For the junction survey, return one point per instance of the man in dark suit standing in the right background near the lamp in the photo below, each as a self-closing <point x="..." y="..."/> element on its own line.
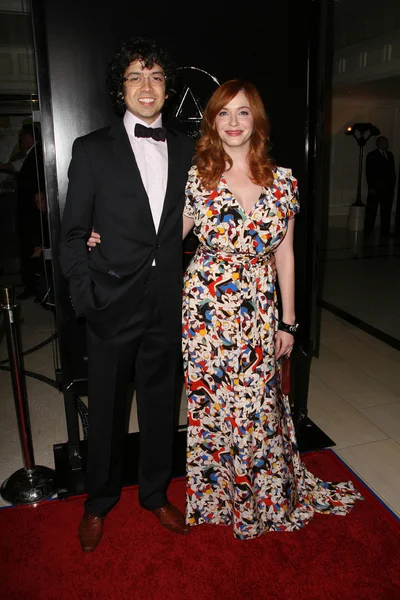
<point x="381" y="179"/>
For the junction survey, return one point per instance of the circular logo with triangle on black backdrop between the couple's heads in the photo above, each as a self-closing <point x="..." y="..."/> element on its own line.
<point x="185" y="110"/>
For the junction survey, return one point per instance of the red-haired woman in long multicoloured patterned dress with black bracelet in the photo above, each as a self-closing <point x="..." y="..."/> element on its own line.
<point x="243" y="464"/>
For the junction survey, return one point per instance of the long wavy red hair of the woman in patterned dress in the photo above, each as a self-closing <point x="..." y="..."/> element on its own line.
<point x="211" y="157"/>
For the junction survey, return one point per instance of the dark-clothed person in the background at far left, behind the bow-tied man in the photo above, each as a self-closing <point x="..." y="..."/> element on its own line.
<point x="30" y="181"/>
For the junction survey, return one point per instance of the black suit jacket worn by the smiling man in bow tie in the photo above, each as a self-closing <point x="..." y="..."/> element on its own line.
<point x="106" y="191"/>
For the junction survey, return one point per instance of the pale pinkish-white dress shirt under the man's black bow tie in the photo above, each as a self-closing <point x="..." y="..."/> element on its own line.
<point x="152" y="160"/>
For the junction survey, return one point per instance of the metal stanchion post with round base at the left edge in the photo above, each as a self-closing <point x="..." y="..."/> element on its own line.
<point x="32" y="483"/>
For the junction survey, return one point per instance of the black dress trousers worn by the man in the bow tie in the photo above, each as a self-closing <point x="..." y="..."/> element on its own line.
<point x="145" y="348"/>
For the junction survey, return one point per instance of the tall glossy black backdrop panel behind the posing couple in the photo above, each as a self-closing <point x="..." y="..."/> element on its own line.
<point x="261" y="42"/>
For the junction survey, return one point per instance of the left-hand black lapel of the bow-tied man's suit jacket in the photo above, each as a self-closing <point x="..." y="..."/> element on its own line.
<point x="129" y="169"/>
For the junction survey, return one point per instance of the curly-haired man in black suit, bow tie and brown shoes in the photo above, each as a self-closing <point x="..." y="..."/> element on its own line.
<point x="128" y="182"/>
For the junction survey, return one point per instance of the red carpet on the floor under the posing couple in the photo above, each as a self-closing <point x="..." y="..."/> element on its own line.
<point x="356" y="557"/>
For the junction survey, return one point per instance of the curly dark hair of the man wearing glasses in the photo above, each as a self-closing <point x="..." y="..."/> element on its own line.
<point x="143" y="49"/>
